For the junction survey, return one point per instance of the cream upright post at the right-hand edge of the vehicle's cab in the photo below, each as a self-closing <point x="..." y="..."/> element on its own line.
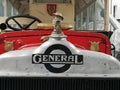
<point x="106" y="14"/>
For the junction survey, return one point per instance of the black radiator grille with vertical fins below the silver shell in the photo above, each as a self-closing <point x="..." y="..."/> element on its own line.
<point x="39" y="83"/>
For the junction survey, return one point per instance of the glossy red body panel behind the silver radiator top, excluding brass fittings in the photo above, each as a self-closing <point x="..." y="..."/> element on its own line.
<point x="24" y="39"/>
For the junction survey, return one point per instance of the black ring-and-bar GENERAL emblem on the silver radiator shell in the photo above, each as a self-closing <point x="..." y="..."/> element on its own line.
<point x="57" y="62"/>
